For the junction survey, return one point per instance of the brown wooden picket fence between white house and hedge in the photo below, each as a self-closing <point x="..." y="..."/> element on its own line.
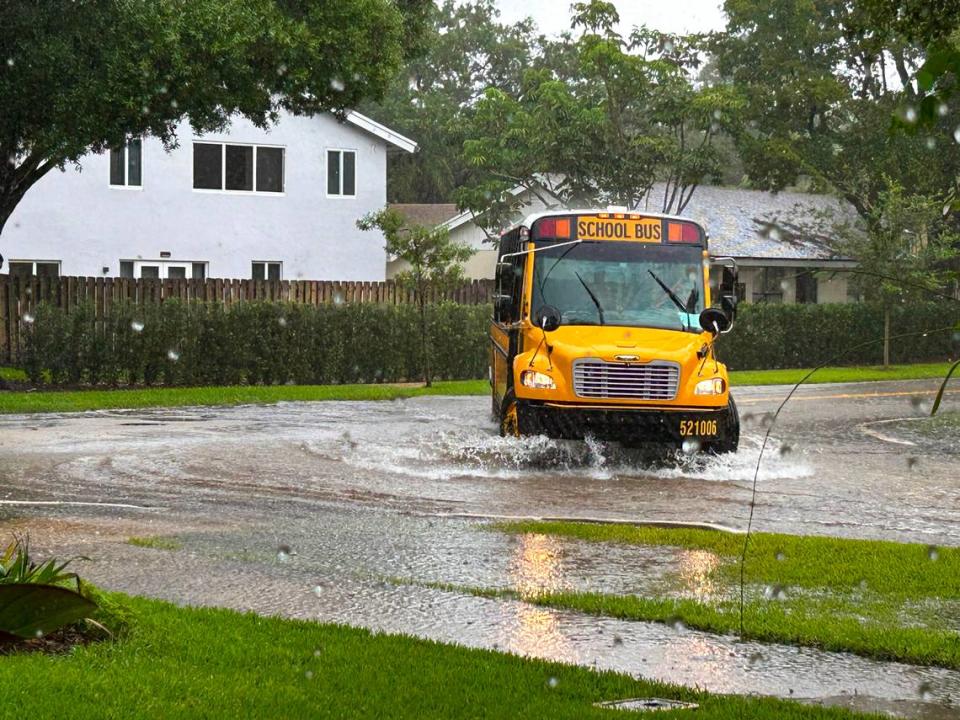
<point x="19" y="296"/>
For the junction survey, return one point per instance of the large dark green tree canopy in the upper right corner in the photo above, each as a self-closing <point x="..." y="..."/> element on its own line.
<point x="821" y="82"/>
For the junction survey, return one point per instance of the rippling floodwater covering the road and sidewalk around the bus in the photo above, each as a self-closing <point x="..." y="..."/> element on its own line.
<point x="368" y="496"/>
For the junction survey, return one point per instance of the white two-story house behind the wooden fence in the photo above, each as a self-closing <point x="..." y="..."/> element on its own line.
<point x="246" y="203"/>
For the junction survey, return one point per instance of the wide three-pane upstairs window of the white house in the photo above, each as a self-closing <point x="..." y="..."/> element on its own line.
<point x="237" y="168"/>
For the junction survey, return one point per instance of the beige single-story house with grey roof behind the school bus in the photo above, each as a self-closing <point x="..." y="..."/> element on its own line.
<point x="778" y="240"/>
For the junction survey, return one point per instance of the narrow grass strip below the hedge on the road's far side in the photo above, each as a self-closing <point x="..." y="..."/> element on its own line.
<point x="80" y="400"/>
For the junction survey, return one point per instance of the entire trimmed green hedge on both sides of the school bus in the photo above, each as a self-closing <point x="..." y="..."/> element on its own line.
<point x="207" y="344"/>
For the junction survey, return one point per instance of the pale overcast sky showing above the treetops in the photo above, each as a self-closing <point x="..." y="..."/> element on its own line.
<point x="678" y="16"/>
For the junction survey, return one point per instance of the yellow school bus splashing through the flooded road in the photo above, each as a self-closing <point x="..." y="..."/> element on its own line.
<point x="603" y="326"/>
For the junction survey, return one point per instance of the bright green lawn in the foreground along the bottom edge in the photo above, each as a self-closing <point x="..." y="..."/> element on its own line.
<point x="189" y="663"/>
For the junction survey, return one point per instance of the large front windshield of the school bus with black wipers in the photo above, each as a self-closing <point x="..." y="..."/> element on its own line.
<point x="621" y="283"/>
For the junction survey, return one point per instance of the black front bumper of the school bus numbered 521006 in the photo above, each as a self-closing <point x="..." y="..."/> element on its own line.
<point x="629" y="426"/>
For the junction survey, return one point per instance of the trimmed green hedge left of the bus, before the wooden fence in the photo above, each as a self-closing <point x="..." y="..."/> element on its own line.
<point x="269" y="343"/>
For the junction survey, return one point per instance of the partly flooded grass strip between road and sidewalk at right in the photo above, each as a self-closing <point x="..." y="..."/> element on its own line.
<point x="880" y="599"/>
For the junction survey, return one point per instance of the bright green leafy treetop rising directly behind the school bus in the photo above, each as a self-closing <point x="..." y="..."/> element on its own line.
<point x="613" y="117"/>
